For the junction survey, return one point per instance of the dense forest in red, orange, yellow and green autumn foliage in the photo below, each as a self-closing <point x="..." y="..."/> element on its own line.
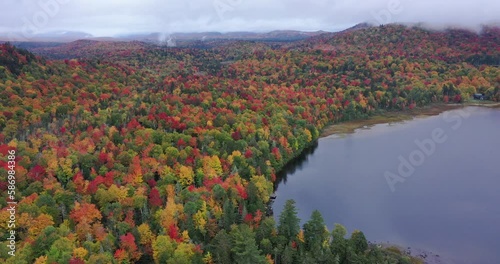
<point x="134" y="153"/>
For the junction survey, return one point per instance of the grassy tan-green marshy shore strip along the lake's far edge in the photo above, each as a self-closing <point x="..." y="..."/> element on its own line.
<point x="397" y="116"/>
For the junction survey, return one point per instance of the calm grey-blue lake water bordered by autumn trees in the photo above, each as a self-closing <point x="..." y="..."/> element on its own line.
<point x="449" y="204"/>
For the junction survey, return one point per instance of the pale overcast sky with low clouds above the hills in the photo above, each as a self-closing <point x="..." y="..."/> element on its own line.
<point x="112" y="17"/>
